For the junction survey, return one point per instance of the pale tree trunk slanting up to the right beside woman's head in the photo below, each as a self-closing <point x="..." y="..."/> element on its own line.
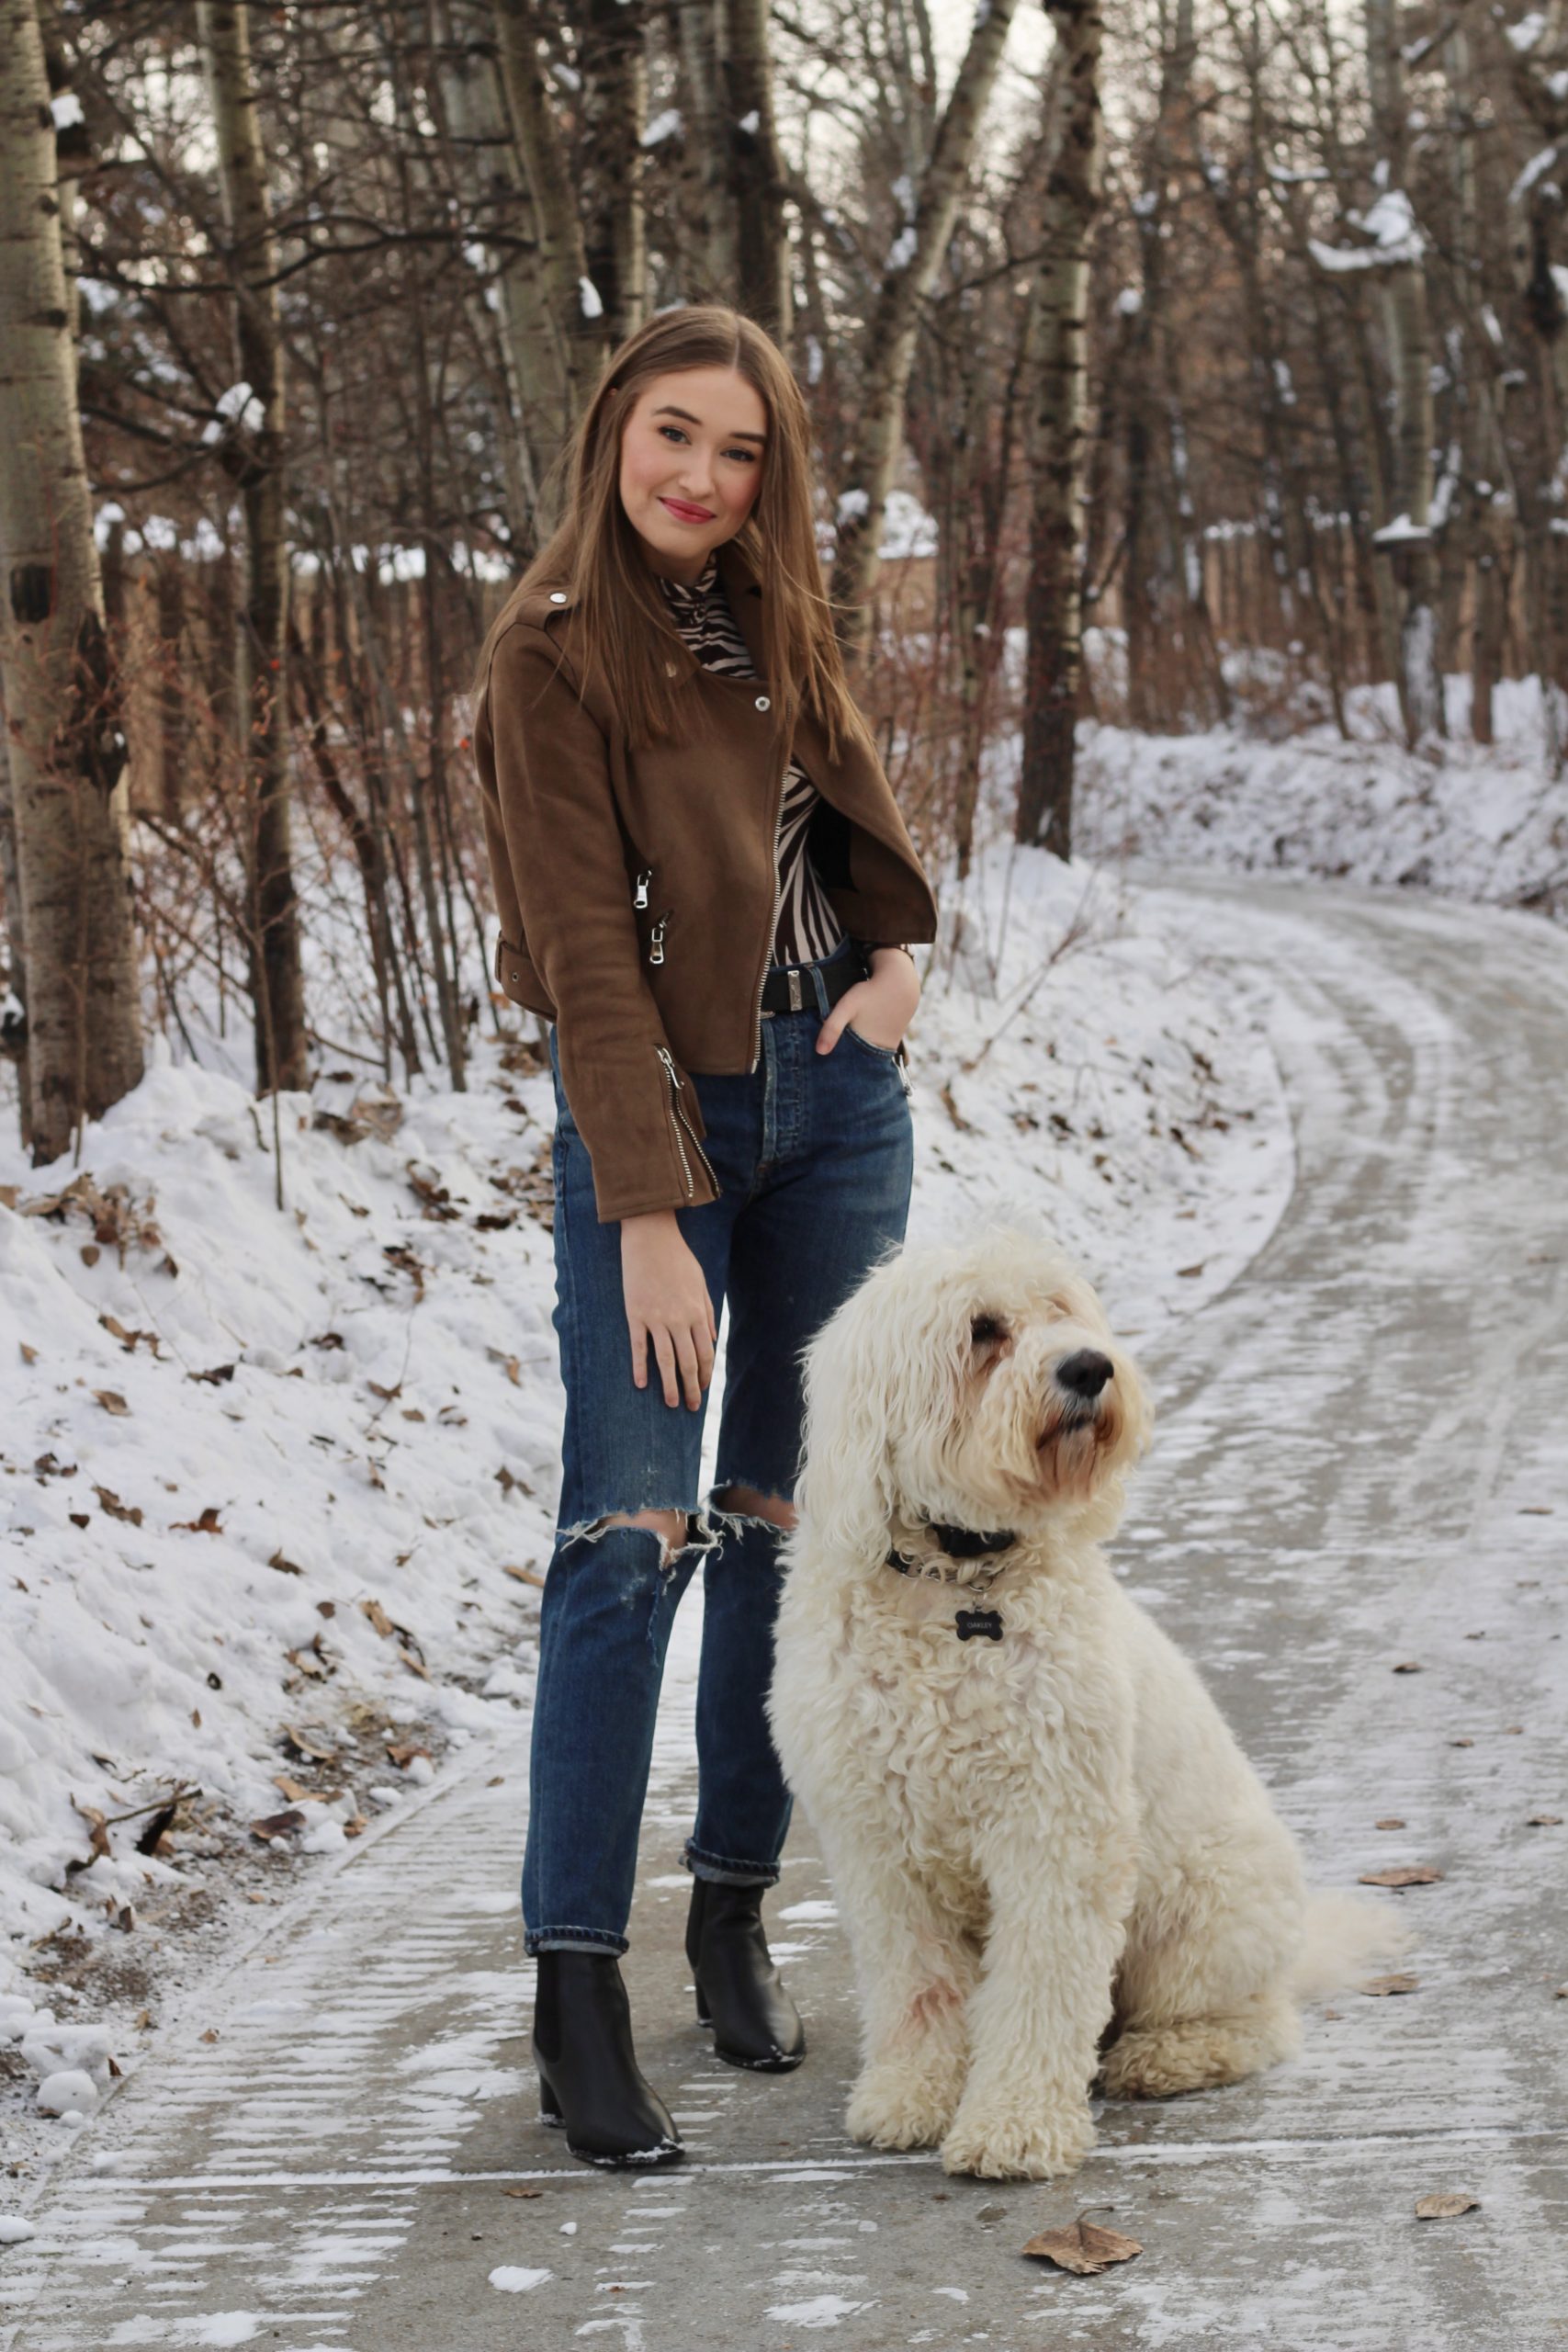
<point x="890" y="340"/>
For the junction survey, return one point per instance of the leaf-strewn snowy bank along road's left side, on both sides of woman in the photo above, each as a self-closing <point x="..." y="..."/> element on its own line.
<point x="279" y="1483"/>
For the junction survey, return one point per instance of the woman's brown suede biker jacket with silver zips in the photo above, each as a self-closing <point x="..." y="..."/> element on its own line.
<point x="638" y="888"/>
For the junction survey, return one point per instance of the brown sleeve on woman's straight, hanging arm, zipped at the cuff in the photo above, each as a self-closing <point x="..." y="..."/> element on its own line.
<point x="570" y="869"/>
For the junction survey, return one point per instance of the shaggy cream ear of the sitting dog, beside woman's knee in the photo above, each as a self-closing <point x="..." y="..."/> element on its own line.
<point x="852" y="1377"/>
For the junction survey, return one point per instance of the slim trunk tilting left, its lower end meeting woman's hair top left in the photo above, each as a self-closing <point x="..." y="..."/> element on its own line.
<point x="572" y="302"/>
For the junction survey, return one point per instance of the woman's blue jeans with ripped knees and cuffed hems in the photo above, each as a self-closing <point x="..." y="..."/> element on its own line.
<point x="815" y="1158"/>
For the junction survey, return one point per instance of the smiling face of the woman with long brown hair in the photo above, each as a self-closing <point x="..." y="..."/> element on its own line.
<point x="692" y="460"/>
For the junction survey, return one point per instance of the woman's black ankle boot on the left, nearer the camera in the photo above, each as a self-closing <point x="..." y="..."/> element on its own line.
<point x="587" y="2064"/>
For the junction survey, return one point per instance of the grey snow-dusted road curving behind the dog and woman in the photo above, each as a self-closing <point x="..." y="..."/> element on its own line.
<point x="1362" y="1466"/>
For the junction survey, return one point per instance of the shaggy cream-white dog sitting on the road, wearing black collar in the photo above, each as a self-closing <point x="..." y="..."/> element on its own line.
<point x="1047" y="1850"/>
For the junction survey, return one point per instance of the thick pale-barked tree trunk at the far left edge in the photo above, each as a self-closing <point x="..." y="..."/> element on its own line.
<point x="69" y="874"/>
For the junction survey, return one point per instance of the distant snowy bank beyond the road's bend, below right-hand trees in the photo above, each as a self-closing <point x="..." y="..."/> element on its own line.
<point x="1466" y="822"/>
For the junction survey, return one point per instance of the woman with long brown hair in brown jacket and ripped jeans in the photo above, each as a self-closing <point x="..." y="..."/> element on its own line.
<point x="706" y="888"/>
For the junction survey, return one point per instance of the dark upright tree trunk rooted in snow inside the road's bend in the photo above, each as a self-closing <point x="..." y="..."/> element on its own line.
<point x="1061" y="434"/>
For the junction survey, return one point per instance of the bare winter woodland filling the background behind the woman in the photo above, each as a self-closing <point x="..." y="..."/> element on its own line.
<point x="1224" y="338"/>
